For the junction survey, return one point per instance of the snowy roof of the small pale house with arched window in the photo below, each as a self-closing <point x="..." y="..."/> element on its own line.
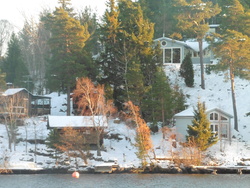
<point x="190" y="112"/>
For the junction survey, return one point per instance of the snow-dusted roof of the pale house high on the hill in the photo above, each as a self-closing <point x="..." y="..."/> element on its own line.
<point x="193" y="44"/>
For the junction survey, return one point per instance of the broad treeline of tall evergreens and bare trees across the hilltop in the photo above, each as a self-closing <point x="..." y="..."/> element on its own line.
<point x="118" y="50"/>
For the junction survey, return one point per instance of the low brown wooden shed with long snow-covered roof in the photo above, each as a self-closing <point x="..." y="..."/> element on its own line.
<point x="89" y="126"/>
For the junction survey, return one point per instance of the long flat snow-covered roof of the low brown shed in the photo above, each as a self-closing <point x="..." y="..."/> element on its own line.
<point x="77" y="121"/>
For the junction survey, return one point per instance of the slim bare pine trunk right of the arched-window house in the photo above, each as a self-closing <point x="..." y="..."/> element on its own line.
<point x="233" y="97"/>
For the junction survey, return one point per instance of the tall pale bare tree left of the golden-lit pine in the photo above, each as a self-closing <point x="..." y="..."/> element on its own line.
<point x="34" y="48"/>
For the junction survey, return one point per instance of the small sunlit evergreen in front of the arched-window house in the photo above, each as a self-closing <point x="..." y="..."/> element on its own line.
<point x="200" y="131"/>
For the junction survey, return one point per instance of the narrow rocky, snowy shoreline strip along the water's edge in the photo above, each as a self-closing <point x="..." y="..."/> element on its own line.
<point x="156" y="170"/>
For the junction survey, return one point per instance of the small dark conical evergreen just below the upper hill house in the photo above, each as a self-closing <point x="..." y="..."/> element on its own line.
<point x="187" y="71"/>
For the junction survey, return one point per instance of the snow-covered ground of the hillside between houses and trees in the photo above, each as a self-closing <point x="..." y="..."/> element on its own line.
<point x="216" y="94"/>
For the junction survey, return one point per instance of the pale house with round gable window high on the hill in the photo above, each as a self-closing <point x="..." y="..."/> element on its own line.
<point x="174" y="51"/>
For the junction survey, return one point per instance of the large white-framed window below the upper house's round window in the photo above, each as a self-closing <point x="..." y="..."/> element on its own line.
<point x="173" y="55"/>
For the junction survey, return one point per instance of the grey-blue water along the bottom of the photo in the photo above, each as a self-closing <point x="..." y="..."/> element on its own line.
<point x="125" y="181"/>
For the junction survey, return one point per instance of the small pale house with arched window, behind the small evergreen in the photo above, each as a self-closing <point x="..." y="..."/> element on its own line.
<point x="220" y="123"/>
